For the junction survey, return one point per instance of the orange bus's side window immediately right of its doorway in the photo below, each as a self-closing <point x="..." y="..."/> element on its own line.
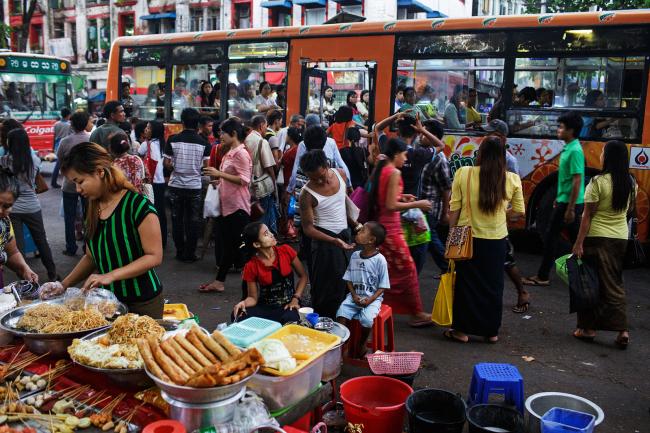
<point x="461" y="92"/>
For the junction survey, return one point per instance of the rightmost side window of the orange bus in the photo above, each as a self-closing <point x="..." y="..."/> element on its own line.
<point x="606" y="90"/>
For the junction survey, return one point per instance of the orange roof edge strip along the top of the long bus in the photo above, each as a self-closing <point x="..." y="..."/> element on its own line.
<point x="578" y="19"/>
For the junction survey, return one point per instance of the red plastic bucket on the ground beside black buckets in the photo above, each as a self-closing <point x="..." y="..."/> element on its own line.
<point x="377" y="402"/>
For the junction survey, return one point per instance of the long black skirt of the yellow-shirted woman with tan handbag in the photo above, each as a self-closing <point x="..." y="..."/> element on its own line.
<point x="478" y="295"/>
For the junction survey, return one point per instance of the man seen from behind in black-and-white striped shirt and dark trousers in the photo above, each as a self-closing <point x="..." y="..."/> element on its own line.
<point x="186" y="154"/>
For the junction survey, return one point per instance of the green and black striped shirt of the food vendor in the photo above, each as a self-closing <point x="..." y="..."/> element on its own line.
<point x="116" y="243"/>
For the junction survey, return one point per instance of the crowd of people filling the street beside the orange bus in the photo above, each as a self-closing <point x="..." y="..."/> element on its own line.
<point x="279" y="184"/>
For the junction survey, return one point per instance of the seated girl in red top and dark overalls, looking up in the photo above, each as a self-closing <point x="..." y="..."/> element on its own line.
<point x="269" y="278"/>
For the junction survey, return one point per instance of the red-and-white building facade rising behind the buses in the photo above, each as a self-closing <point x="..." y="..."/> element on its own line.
<point x="82" y="30"/>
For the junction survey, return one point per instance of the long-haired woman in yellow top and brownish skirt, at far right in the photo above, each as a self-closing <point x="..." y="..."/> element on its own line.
<point x="602" y="242"/>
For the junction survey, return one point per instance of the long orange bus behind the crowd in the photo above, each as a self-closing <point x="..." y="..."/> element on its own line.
<point x="595" y="63"/>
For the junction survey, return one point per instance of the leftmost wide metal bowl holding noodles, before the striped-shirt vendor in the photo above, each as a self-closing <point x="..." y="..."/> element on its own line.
<point x="56" y="344"/>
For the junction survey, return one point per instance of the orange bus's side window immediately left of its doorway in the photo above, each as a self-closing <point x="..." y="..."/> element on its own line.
<point x="253" y="88"/>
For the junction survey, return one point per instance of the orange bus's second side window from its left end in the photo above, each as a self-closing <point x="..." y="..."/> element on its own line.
<point x="195" y="86"/>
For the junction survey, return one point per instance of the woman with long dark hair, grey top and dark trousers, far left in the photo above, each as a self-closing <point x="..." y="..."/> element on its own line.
<point x="24" y="164"/>
